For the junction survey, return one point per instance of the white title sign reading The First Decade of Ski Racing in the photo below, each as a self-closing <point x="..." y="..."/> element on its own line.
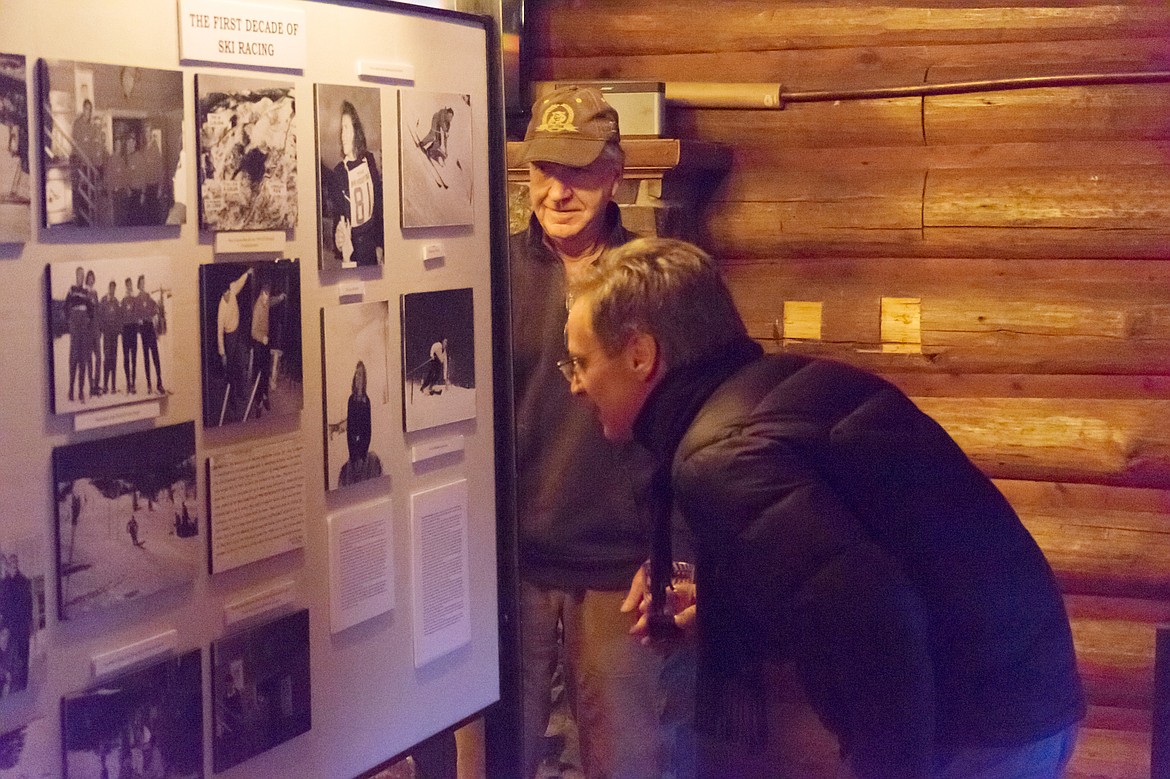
<point x="242" y="33"/>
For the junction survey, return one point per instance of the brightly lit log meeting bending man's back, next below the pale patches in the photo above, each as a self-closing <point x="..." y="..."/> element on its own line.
<point x="1124" y="443"/>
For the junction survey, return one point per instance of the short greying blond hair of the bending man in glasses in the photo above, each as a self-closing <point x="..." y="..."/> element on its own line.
<point x="667" y="289"/>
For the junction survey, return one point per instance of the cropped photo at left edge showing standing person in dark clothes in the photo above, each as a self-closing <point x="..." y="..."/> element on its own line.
<point x="23" y="611"/>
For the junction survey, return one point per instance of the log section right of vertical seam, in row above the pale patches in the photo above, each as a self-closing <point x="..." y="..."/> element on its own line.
<point x="1092" y="198"/>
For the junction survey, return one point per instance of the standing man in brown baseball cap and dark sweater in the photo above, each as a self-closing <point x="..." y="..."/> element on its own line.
<point x="583" y="528"/>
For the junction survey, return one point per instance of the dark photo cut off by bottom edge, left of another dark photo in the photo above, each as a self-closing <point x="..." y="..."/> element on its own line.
<point x="147" y="723"/>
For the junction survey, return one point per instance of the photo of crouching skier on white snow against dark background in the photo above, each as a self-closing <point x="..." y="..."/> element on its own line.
<point x="438" y="359"/>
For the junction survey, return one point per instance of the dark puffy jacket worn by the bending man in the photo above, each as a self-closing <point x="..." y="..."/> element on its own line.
<point x="842" y="528"/>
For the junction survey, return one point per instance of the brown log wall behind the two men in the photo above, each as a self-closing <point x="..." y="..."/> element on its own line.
<point x="1031" y="230"/>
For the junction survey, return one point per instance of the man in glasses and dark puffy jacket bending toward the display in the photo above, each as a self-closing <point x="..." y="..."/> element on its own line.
<point x="837" y="527"/>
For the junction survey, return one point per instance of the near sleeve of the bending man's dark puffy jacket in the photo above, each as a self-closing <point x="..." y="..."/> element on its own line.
<point x="811" y="578"/>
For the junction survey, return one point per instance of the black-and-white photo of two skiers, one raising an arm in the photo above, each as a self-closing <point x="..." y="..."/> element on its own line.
<point x="251" y="341"/>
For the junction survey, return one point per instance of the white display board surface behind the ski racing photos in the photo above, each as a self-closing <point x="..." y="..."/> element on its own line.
<point x="369" y="700"/>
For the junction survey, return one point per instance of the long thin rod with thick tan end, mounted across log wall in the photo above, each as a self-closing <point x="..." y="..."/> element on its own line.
<point x="703" y="95"/>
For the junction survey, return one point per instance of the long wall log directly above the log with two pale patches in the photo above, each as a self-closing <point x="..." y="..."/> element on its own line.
<point x="1102" y="211"/>
